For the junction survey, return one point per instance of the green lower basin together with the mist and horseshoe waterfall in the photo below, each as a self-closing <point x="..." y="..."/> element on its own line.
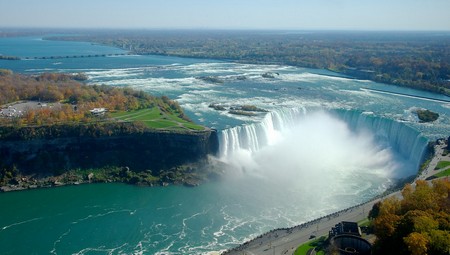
<point x="274" y="167"/>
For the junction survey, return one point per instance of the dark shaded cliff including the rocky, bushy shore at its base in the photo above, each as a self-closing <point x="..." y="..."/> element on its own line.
<point x="150" y="158"/>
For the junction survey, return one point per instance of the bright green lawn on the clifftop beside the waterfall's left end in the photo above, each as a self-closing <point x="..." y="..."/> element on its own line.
<point x="154" y="118"/>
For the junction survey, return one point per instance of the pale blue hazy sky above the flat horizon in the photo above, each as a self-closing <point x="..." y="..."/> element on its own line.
<point x="229" y="14"/>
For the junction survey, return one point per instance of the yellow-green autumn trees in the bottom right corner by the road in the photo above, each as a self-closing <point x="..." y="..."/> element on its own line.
<point x="418" y="224"/>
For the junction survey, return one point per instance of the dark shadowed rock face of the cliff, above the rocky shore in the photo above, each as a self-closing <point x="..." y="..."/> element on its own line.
<point x="150" y="150"/>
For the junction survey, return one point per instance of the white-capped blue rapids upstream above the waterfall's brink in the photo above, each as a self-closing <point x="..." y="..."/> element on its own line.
<point x="293" y="87"/>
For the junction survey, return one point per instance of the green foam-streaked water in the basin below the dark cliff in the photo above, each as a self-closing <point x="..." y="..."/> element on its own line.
<point x="124" y="219"/>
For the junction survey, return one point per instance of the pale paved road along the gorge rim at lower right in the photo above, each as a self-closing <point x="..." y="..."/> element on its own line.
<point x="285" y="241"/>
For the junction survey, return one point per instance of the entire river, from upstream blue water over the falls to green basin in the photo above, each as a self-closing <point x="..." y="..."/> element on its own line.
<point x="327" y="143"/>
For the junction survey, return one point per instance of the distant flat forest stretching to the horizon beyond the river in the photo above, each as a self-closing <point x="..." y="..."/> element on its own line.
<point x="418" y="60"/>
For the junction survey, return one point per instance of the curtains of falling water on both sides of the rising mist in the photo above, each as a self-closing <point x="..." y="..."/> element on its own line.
<point x="404" y="140"/>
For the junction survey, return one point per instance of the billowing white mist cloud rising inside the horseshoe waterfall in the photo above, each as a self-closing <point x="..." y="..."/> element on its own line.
<point x="313" y="160"/>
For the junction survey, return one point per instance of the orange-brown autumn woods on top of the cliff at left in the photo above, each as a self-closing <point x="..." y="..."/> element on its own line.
<point x="71" y="99"/>
